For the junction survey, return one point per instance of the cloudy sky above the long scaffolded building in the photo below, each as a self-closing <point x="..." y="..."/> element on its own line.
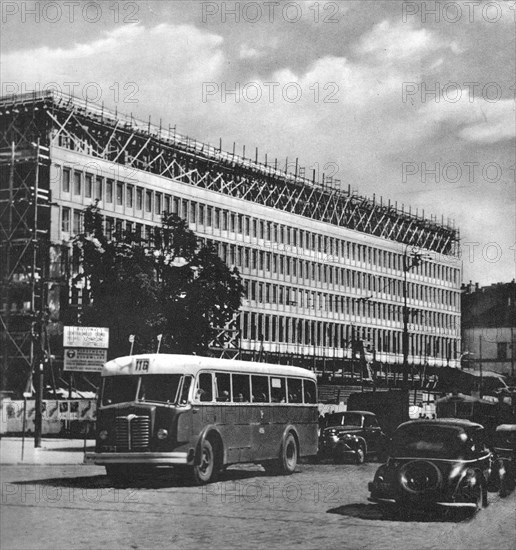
<point x="410" y="101"/>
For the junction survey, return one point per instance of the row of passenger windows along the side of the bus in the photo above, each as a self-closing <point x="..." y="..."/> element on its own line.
<point x="226" y="387"/>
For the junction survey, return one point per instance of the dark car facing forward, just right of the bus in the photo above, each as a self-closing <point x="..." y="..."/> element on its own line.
<point x="352" y="434"/>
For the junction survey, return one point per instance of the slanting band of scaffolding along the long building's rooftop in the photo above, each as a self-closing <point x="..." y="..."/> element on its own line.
<point x="82" y="126"/>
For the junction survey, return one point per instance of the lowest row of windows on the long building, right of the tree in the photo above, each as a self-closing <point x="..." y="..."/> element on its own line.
<point x="308" y="332"/>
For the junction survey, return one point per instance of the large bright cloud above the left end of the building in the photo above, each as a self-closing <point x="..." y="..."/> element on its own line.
<point x="153" y="65"/>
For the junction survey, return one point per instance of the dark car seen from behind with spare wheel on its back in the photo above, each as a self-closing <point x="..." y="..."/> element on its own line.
<point x="435" y="463"/>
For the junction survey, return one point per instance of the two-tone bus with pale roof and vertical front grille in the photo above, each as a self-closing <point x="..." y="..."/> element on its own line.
<point x="203" y="414"/>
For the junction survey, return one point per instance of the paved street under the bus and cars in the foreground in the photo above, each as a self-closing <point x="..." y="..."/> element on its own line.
<point x="320" y="506"/>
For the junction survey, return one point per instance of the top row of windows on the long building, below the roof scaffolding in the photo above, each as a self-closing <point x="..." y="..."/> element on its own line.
<point x="279" y="236"/>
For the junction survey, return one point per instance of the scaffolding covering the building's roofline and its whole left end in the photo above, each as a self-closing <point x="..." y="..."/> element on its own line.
<point x="32" y="124"/>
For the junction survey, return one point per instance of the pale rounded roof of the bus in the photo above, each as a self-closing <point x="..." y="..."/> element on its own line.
<point x="162" y="363"/>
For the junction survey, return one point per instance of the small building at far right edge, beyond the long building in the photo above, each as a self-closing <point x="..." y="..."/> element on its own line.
<point x="488" y="327"/>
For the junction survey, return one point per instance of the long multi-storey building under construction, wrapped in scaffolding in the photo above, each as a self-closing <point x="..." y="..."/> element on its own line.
<point x="329" y="275"/>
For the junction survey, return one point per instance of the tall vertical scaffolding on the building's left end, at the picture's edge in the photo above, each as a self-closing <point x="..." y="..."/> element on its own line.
<point x="24" y="226"/>
